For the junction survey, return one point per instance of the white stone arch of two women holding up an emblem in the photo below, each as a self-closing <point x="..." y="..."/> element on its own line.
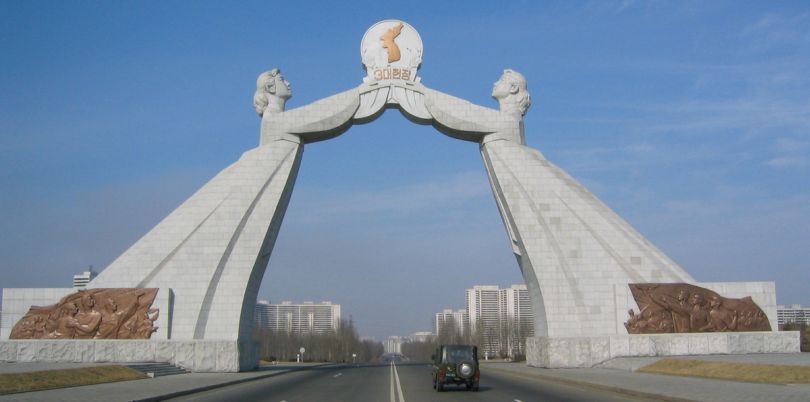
<point x="573" y="251"/>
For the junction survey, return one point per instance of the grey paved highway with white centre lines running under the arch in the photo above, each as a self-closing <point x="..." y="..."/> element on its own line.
<point x="395" y="383"/>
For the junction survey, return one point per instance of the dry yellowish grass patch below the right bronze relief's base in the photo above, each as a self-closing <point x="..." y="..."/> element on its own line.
<point x="766" y="373"/>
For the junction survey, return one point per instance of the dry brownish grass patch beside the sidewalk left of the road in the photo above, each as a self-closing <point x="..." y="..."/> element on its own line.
<point x="51" y="379"/>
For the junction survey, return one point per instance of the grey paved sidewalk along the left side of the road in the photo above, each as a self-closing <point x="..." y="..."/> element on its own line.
<point x="139" y="390"/>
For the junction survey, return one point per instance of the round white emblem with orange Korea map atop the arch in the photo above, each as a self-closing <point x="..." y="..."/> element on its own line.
<point x="391" y="50"/>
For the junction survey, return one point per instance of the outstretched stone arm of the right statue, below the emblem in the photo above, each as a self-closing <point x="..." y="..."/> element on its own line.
<point x="459" y="118"/>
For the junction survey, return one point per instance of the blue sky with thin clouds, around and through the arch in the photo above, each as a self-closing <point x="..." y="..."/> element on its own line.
<point x="690" y="119"/>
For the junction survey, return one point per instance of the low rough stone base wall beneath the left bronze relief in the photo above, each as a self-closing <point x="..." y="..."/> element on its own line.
<point x="194" y="355"/>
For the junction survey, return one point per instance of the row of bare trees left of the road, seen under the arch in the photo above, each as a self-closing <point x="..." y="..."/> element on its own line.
<point x="342" y="345"/>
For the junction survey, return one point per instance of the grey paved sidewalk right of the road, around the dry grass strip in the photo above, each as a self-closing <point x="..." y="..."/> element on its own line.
<point x="619" y="375"/>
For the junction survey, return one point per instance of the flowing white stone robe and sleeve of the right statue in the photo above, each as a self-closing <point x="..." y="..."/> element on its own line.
<point x="571" y="248"/>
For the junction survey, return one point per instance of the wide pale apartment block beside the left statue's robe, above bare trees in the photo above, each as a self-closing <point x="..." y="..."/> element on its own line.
<point x="305" y="318"/>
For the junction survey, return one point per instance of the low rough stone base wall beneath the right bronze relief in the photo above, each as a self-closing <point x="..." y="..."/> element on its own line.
<point x="574" y="352"/>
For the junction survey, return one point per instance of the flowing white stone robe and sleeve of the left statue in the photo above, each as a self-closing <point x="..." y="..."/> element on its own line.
<point x="213" y="249"/>
